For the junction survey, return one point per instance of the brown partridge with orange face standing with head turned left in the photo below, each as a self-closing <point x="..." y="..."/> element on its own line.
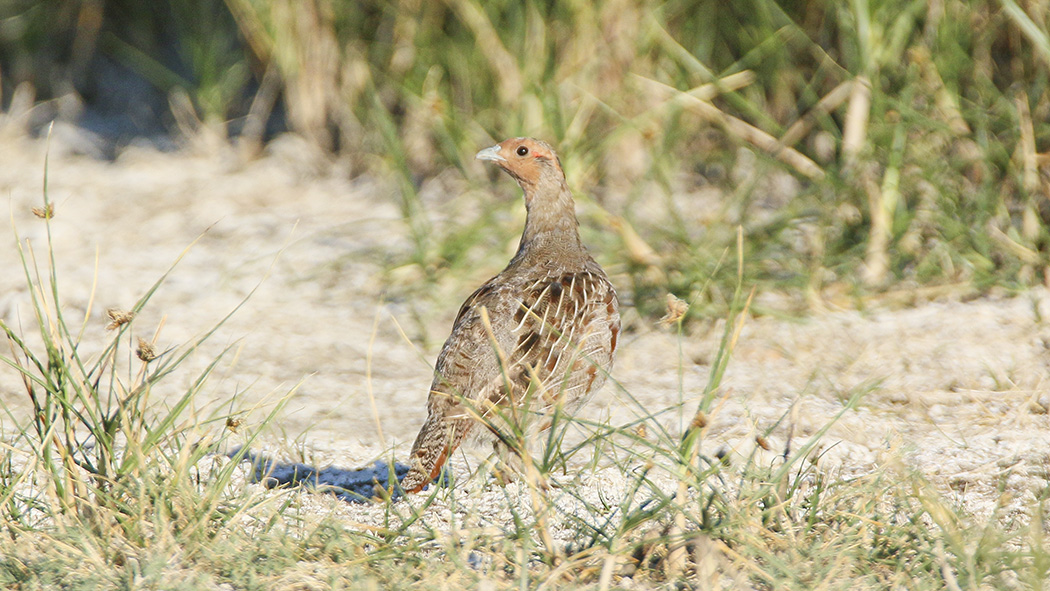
<point x="542" y="332"/>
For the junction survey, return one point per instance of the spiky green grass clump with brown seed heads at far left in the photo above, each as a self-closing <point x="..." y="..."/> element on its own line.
<point x="91" y="457"/>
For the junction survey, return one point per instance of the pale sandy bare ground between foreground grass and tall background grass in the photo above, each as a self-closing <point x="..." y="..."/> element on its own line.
<point x="959" y="390"/>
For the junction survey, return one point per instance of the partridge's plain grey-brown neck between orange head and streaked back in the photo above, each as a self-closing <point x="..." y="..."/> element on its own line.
<point x="551" y="221"/>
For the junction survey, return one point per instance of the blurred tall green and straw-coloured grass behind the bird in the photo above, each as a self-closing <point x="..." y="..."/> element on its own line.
<point x="892" y="150"/>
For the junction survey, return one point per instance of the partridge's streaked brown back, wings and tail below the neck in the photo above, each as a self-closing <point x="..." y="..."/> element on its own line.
<point x="558" y="331"/>
